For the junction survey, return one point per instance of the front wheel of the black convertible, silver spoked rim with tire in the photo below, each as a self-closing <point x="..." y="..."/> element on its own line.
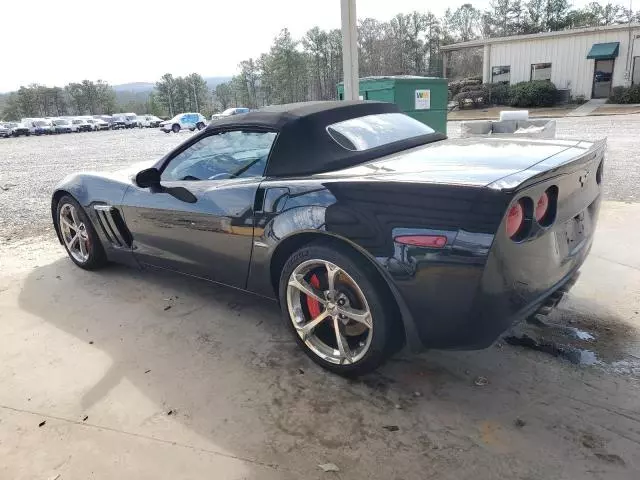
<point x="78" y="235"/>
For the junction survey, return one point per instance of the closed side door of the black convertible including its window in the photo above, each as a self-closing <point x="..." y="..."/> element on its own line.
<point x="200" y="221"/>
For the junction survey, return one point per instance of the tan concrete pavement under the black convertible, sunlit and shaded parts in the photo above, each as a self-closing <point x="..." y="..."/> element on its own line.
<point x="214" y="387"/>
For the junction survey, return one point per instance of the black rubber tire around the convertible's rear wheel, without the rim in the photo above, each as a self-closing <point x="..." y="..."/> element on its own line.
<point x="387" y="327"/>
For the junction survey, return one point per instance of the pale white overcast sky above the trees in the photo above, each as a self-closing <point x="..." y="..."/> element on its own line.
<point x="56" y="42"/>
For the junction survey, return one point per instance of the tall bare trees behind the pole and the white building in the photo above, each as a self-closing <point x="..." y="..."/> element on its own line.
<point x="409" y="44"/>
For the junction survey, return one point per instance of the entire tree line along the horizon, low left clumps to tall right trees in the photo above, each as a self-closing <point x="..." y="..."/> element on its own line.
<point x="309" y="68"/>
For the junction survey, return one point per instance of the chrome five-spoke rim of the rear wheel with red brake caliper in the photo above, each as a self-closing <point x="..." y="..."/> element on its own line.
<point x="329" y="312"/>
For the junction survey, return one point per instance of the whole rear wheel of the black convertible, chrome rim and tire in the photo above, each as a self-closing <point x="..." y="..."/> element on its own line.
<point x="338" y="309"/>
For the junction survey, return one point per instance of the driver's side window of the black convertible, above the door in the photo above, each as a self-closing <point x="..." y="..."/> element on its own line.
<point x="224" y="155"/>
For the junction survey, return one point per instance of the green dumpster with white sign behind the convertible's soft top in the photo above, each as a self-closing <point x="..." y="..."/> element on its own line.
<point x="423" y="98"/>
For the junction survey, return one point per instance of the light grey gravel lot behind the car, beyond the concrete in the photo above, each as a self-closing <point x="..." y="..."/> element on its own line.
<point x="31" y="167"/>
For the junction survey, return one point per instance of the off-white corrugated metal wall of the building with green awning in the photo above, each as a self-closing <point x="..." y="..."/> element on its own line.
<point x="568" y="55"/>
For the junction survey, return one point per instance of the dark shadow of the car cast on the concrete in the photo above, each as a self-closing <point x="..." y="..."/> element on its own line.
<point x="222" y="363"/>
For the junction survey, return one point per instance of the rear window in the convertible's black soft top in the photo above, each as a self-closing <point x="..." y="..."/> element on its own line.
<point x="371" y="131"/>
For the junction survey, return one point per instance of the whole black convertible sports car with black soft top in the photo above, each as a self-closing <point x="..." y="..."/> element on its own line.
<point x="370" y="229"/>
